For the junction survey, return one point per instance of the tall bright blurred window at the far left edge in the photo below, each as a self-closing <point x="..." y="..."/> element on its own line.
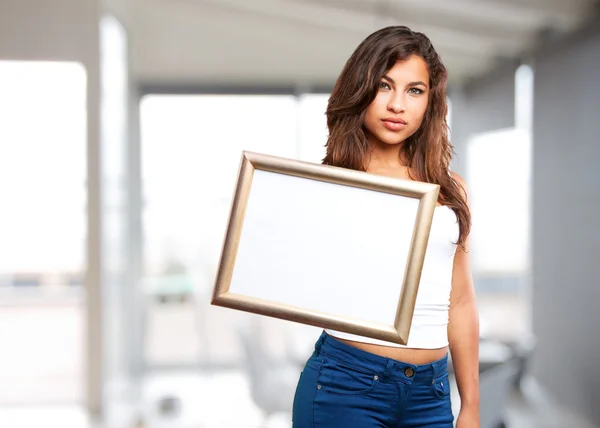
<point x="42" y="230"/>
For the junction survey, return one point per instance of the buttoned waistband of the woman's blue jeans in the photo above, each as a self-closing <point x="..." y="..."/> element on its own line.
<point x="329" y="346"/>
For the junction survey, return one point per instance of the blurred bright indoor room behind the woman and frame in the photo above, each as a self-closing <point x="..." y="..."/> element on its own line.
<point x="121" y="128"/>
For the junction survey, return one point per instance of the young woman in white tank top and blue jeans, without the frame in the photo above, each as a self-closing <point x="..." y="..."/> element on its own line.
<point x="387" y="115"/>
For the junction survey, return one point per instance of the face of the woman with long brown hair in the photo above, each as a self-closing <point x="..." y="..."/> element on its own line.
<point x="401" y="102"/>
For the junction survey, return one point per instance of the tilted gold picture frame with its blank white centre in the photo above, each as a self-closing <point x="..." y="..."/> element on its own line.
<point x="289" y="227"/>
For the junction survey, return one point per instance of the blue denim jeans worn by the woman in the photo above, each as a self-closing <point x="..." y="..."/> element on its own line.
<point x="342" y="386"/>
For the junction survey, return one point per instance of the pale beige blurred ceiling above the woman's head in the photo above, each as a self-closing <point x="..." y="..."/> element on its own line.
<point x="305" y="43"/>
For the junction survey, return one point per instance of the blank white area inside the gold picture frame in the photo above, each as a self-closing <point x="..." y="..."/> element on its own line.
<point x="338" y="249"/>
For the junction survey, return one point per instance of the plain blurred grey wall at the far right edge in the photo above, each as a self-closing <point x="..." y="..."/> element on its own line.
<point x="566" y="235"/>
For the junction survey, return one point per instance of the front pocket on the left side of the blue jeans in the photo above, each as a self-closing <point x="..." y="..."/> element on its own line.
<point x="338" y="378"/>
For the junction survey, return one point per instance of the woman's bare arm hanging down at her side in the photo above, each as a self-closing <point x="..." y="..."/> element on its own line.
<point x="463" y="333"/>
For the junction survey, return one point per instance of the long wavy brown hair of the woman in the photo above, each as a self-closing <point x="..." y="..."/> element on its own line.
<point x="428" y="151"/>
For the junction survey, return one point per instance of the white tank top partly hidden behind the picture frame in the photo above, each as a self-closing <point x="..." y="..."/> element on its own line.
<point x="429" y="328"/>
